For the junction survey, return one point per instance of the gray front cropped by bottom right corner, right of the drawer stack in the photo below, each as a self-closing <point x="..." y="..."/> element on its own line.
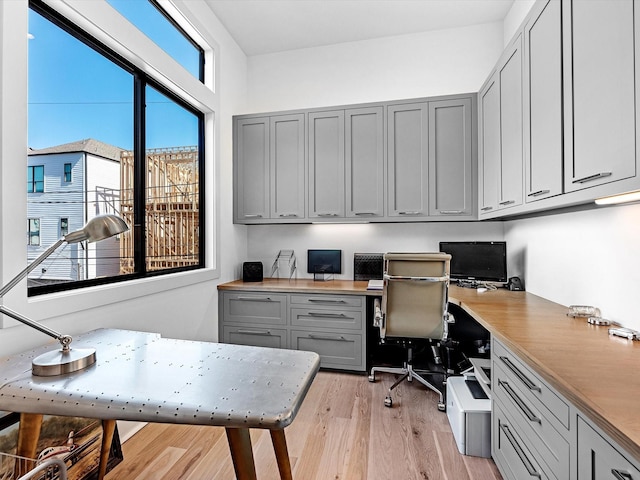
<point x="599" y="459"/>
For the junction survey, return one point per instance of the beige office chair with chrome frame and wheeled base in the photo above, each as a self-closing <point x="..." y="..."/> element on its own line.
<point x="414" y="306"/>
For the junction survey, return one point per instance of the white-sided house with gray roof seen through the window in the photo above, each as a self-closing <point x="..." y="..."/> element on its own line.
<point x="91" y="189"/>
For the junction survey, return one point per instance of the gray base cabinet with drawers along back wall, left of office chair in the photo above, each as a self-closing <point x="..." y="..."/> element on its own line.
<point x="331" y="325"/>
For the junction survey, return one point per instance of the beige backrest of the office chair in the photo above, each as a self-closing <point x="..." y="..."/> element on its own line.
<point x="415" y="295"/>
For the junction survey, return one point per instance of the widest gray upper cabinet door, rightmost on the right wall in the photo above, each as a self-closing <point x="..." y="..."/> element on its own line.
<point x="599" y="61"/>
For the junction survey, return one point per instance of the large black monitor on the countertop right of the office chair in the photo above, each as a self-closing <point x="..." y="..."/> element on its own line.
<point x="477" y="261"/>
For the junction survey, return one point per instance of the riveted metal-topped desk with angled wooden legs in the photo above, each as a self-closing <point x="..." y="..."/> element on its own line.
<point x="143" y="377"/>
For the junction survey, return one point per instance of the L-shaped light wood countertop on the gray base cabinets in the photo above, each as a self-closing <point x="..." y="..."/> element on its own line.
<point x="595" y="372"/>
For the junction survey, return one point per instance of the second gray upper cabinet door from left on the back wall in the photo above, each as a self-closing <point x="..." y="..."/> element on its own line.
<point x="287" y="166"/>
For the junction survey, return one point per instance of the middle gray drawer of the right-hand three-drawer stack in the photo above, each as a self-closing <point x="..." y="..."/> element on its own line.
<point x="536" y="425"/>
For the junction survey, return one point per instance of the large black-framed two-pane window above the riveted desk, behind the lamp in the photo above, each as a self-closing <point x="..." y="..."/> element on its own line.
<point x="141" y="150"/>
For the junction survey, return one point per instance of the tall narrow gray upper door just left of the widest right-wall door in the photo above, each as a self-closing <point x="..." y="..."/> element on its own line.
<point x="543" y="102"/>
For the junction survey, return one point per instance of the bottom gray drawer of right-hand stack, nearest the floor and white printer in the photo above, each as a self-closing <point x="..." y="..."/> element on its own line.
<point x="510" y="453"/>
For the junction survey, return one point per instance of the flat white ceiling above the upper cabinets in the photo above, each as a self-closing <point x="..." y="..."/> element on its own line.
<point x="268" y="26"/>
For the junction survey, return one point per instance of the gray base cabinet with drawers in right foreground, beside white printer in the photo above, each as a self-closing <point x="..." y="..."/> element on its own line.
<point x="537" y="433"/>
